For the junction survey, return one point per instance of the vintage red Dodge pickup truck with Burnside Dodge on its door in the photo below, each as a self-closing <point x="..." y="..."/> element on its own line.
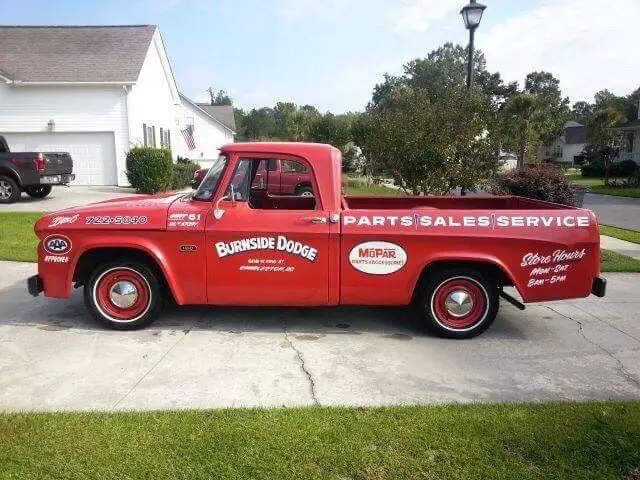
<point x="233" y="242"/>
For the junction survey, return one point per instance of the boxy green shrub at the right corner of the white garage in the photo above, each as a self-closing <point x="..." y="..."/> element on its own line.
<point x="149" y="170"/>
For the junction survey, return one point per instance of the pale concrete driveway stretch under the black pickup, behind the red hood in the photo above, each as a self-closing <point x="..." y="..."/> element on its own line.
<point x="65" y="197"/>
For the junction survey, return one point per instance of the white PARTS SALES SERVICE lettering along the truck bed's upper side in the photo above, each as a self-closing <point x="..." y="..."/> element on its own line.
<point x="451" y="221"/>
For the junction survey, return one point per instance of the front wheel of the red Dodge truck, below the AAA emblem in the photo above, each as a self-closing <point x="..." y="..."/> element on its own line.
<point x="123" y="295"/>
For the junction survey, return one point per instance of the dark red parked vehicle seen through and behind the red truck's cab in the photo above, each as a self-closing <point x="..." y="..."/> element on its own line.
<point x="282" y="177"/>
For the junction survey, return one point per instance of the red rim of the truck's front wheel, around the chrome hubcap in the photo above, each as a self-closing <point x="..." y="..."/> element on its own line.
<point x="118" y="277"/>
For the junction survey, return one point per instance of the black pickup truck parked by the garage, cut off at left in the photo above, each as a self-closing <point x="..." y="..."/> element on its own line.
<point x="31" y="172"/>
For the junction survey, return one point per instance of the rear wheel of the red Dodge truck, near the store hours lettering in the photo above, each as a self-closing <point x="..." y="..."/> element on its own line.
<point x="459" y="303"/>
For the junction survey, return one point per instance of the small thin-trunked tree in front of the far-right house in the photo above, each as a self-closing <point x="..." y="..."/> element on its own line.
<point x="604" y="138"/>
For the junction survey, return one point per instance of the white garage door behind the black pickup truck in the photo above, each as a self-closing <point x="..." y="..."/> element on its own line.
<point x="93" y="153"/>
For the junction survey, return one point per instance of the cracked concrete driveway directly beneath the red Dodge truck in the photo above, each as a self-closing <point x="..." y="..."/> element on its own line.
<point x="53" y="357"/>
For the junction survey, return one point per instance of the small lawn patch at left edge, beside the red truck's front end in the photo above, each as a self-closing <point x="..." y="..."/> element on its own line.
<point x="17" y="240"/>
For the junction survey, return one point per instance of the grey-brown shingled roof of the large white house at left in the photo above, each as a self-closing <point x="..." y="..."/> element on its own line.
<point x="74" y="54"/>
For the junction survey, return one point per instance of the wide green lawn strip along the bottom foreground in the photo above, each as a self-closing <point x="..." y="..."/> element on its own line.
<point x="523" y="441"/>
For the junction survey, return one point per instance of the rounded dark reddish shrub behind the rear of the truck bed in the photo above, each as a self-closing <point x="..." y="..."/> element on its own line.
<point x="540" y="182"/>
